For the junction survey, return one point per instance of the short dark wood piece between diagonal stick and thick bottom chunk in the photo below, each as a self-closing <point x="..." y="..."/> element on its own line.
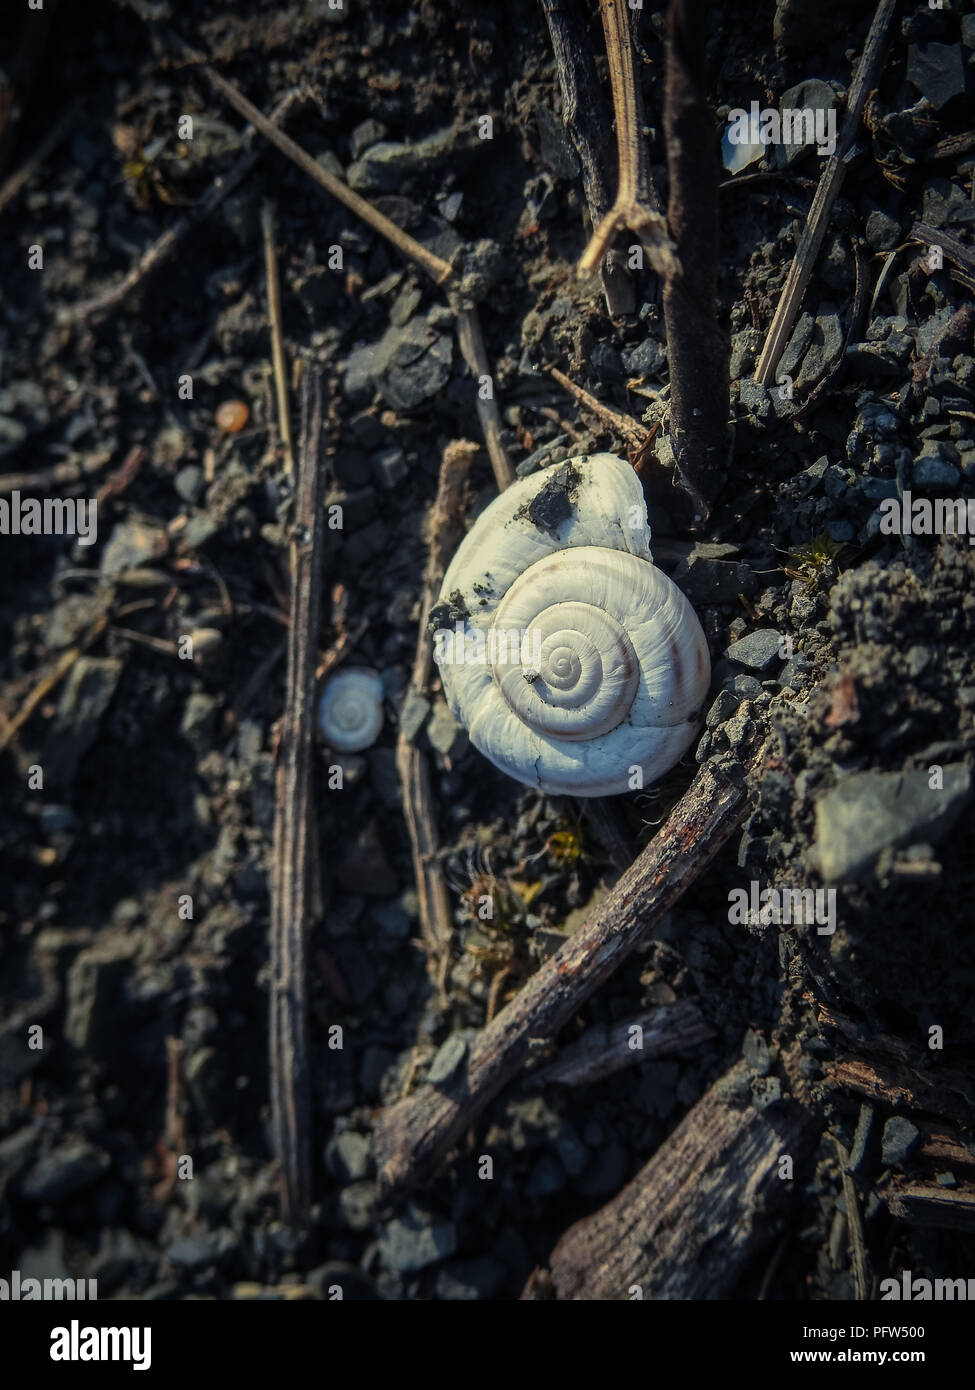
<point x="670" y="1031"/>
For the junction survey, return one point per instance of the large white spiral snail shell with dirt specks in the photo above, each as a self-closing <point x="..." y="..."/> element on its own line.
<point x="571" y="660"/>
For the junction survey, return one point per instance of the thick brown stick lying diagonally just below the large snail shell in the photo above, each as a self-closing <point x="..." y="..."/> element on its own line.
<point x="414" y="1136"/>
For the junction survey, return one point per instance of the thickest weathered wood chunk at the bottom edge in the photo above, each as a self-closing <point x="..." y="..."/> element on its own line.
<point x="698" y="1213"/>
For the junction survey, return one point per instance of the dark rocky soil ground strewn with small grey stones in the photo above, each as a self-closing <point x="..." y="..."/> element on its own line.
<point x="159" y="774"/>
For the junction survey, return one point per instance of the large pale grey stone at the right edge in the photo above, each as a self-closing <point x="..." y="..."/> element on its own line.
<point x="869" y="812"/>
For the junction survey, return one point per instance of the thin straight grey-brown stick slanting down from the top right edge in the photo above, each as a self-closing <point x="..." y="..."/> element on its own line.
<point x="793" y="293"/>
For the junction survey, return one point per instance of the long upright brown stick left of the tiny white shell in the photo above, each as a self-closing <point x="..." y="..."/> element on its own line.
<point x="293" y="893"/>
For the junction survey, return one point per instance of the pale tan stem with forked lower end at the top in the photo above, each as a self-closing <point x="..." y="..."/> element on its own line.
<point x="636" y="206"/>
